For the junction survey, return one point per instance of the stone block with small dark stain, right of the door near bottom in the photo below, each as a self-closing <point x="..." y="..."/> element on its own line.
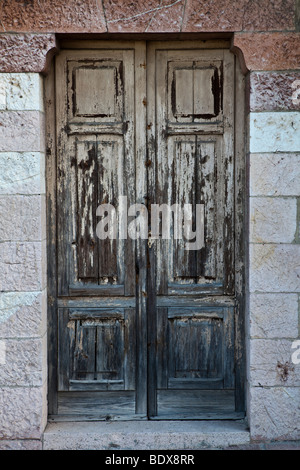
<point x="271" y="363"/>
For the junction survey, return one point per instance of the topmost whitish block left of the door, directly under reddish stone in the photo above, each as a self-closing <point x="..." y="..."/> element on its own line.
<point x="23" y="91"/>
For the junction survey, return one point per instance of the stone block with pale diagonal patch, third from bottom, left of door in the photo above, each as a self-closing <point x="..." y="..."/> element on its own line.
<point x="23" y="314"/>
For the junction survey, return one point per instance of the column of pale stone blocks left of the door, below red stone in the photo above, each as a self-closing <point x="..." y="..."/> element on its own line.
<point x="23" y="365"/>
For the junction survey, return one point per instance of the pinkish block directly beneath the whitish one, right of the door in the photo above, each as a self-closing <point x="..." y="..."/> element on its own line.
<point x="275" y="174"/>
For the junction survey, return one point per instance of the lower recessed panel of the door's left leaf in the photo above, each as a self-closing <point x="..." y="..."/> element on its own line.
<point x="98" y="353"/>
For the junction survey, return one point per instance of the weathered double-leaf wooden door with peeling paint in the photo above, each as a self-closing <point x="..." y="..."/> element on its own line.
<point x="145" y="325"/>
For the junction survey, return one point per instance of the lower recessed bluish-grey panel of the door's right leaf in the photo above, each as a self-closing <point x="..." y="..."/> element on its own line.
<point x="195" y="348"/>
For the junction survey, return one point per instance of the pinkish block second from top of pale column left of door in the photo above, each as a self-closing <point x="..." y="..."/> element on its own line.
<point x="22" y="131"/>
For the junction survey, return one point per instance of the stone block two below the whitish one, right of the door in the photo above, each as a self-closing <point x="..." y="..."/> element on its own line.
<point x="273" y="220"/>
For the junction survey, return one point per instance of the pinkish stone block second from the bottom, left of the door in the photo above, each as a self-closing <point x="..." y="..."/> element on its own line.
<point x="24" y="364"/>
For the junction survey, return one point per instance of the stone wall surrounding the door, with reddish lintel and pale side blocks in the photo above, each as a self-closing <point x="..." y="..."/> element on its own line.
<point x="265" y="37"/>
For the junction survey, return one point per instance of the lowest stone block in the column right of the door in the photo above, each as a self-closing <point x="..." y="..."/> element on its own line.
<point x="274" y="413"/>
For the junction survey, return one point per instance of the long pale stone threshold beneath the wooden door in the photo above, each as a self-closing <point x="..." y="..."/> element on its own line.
<point x="145" y="435"/>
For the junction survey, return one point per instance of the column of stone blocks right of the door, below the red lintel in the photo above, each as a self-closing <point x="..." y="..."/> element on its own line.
<point x="274" y="394"/>
